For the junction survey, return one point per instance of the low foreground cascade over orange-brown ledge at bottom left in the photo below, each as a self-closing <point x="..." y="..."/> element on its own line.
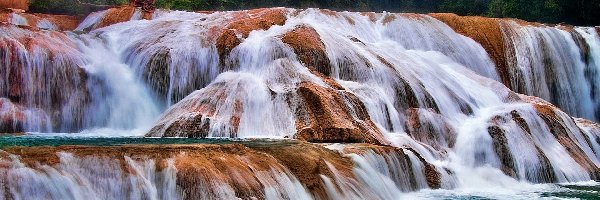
<point x="175" y="173"/>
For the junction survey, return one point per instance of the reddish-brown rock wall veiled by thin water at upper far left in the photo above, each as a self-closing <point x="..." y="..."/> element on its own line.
<point x="26" y="85"/>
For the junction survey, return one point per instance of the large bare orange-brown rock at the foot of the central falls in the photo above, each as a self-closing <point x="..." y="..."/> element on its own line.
<point x="329" y="119"/>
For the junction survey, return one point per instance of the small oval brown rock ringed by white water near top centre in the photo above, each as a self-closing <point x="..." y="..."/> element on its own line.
<point x="309" y="48"/>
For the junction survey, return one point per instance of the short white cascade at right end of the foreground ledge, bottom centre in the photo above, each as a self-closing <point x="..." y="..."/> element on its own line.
<point x="379" y="173"/>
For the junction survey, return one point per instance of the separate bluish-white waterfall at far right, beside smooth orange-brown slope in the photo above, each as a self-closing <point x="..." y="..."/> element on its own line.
<point x="548" y="63"/>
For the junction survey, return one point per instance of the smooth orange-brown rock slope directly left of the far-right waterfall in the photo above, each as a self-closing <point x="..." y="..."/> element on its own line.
<point x="485" y="31"/>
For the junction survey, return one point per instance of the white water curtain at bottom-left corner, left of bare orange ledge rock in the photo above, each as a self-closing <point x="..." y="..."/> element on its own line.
<point x="77" y="178"/>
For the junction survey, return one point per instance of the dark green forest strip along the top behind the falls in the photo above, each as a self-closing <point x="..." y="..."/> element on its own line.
<point x="576" y="12"/>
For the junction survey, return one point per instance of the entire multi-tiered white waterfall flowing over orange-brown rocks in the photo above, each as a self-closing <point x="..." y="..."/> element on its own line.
<point x="408" y="81"/>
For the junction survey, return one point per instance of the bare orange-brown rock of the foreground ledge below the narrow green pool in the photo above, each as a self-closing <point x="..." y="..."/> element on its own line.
<point x="236" y="165"/>
